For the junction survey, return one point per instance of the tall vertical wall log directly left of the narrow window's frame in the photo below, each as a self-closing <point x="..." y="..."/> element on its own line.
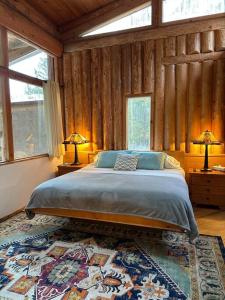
<point x="117" y="97"/>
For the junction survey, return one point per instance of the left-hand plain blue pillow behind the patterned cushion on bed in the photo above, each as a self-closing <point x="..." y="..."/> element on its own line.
<point x="107" y="159"/>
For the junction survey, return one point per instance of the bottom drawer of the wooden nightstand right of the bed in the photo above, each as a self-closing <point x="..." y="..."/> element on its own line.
<point x="198" y="198"/>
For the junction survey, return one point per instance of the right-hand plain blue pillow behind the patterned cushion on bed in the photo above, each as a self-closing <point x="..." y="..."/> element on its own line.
<point x="150" y="160"/>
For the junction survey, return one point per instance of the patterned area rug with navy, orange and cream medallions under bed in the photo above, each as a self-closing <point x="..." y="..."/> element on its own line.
<point x="57" y="258"/>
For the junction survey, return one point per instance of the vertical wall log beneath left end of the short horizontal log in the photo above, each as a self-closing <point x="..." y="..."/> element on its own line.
<point x="169" y="116"/>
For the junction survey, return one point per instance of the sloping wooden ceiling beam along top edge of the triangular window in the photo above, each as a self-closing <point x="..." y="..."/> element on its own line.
<point x="103" y="15"/>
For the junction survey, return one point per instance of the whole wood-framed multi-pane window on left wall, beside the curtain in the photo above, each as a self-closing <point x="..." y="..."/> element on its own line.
<point x="22" y="75"/>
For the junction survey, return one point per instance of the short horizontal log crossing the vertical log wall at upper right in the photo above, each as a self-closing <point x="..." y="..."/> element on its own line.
<point x="193" y="58"/>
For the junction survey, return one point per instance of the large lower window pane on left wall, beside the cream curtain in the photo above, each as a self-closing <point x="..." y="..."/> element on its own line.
<point x="29" y="128"/>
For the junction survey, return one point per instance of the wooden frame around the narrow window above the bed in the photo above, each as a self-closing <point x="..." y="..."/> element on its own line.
<point x="125" y="117"/>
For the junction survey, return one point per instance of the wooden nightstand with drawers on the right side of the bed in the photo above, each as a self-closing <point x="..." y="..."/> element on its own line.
<point x="207" y="187"/>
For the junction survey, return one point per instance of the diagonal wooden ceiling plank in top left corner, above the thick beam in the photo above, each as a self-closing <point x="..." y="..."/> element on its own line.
<point x="28" y="11"/>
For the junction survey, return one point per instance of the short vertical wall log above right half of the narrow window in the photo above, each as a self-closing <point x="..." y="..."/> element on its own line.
<point x="148" y="66"/>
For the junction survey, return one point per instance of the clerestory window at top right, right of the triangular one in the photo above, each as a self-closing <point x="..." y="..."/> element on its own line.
<point x="184" y="9"/>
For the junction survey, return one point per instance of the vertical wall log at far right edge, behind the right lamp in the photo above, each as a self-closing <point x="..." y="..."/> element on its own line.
<point x="218" y="118"/>
